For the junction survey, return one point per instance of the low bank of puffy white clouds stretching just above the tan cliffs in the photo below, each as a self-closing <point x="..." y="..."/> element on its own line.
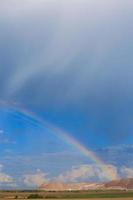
<point x="81" y="173"/>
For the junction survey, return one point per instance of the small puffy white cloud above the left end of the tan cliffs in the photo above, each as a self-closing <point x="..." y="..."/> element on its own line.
<point x="35" y="179"/>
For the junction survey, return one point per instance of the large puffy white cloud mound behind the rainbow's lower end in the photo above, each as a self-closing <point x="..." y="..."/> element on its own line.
<point x="88" y="172"/>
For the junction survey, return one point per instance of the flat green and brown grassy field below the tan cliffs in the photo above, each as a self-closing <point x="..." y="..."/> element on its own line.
<point x="97" y="195"/>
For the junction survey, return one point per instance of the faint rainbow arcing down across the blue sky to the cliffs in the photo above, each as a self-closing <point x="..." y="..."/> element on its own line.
<point x="110" y="175"/>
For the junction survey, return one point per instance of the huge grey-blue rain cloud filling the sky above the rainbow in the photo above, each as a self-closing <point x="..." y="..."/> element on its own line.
<point x="72" y="53"/>
